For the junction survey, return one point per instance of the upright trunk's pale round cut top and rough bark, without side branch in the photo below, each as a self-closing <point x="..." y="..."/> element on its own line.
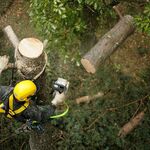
<point x="30" y="58"/>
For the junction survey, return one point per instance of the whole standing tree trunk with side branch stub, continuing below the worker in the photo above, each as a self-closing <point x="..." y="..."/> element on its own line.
<point x="30" y="60"/>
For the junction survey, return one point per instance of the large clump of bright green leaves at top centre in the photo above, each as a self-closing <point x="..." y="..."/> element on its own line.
<point x="62" y="21"/>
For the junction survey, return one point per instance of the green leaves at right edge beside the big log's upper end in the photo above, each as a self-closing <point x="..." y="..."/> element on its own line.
<point x="143" y="21"/>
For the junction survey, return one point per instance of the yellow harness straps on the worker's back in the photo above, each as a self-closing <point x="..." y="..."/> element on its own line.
<point x="11" y="111"/>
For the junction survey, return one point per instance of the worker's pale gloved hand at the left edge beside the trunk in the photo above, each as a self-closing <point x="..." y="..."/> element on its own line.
<point x="3" y="62"/>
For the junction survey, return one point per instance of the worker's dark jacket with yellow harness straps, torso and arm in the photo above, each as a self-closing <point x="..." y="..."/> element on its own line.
<point x="22" y="111"/>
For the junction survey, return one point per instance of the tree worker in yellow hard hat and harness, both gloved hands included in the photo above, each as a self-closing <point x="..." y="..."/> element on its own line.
<point x="18" y="101"/>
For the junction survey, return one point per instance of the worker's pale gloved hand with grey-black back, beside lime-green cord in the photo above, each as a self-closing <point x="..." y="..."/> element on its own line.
<point x="60" y="89"/>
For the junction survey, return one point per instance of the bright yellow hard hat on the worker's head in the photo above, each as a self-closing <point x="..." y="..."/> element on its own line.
<point x="24" y="89"/>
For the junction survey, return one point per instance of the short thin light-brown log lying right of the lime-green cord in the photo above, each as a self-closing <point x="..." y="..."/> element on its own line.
<point x="87" y="99"/>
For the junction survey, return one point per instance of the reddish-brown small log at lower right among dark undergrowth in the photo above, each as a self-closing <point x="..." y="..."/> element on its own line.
<point x="132" y="124"/>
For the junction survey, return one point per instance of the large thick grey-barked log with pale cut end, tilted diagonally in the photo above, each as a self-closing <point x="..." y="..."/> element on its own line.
<point x="108" y="44"/>
